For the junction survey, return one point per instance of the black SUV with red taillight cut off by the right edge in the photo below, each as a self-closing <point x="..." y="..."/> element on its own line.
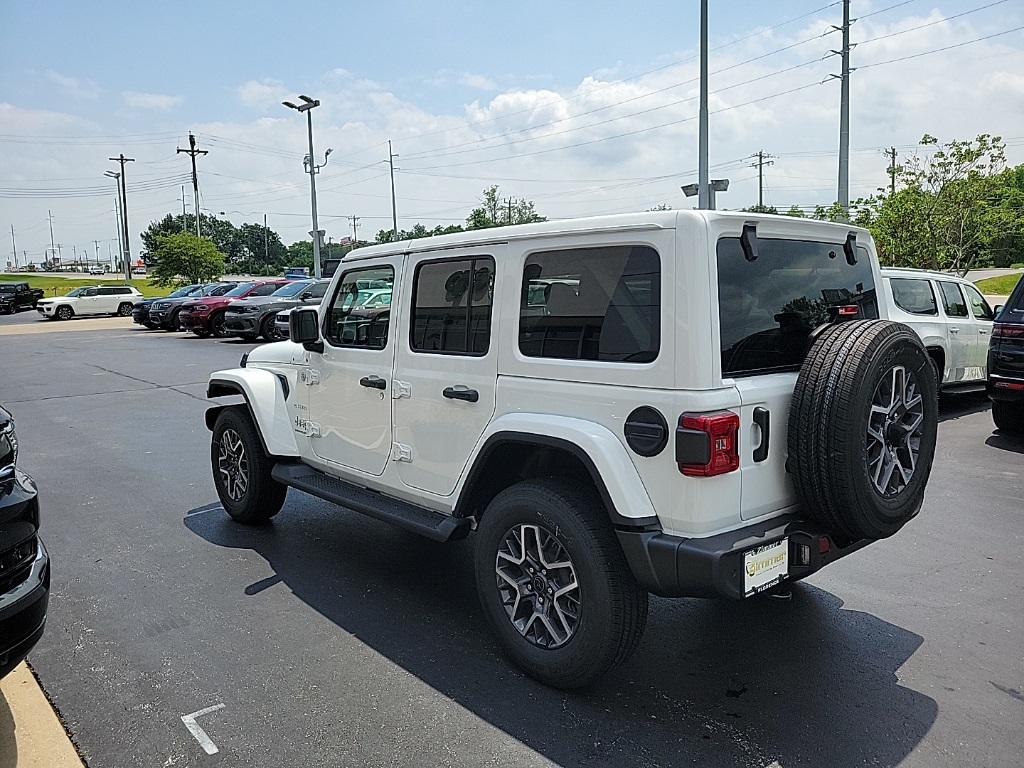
<point x="1006" y="365"/>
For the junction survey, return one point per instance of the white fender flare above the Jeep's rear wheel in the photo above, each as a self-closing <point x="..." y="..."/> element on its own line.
<point x="598" y="448"/>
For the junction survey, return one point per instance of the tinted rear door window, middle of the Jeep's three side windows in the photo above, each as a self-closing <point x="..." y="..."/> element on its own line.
<point x="452" y="303"/>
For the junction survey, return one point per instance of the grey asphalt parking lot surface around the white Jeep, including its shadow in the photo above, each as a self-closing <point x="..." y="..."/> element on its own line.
<point x="329" y="639"/>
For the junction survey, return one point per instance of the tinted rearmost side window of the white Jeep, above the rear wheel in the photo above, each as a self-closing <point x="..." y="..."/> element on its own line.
<point x="592" y="305"/>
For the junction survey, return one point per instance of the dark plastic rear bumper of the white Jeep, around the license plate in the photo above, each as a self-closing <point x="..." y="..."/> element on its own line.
<point x="674" y="567"/>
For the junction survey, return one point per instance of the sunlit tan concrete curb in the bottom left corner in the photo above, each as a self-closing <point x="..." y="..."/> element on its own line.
<point x="31" y="735"/>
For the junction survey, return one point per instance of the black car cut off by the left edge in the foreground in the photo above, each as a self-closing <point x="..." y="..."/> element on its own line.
<point x="25" y="567"/>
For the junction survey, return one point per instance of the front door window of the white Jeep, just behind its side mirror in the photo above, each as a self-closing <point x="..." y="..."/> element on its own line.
<point x="349" y="325"/>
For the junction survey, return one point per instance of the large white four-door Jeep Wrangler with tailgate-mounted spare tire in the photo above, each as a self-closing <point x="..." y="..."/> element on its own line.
<point x="684" y="403"/>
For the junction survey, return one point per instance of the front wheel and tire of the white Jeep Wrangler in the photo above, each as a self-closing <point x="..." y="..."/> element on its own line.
<point x="242" y="470"/>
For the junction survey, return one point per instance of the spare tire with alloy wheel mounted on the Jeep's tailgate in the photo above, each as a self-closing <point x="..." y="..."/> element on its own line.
<point x="863" y="429"/>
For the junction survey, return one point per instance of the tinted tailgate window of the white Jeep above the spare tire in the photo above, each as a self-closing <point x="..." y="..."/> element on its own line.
<point x="770" y="307"/>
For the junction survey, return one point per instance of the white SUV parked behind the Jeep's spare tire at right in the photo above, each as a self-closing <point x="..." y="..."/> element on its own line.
<point x="951" y="316"/>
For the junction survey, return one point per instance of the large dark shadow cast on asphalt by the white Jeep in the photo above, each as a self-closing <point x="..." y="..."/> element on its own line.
<point x="800" y="681"/>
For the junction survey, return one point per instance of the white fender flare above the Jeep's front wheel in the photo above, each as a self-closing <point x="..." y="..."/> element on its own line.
<point x="265" y="396"/>
